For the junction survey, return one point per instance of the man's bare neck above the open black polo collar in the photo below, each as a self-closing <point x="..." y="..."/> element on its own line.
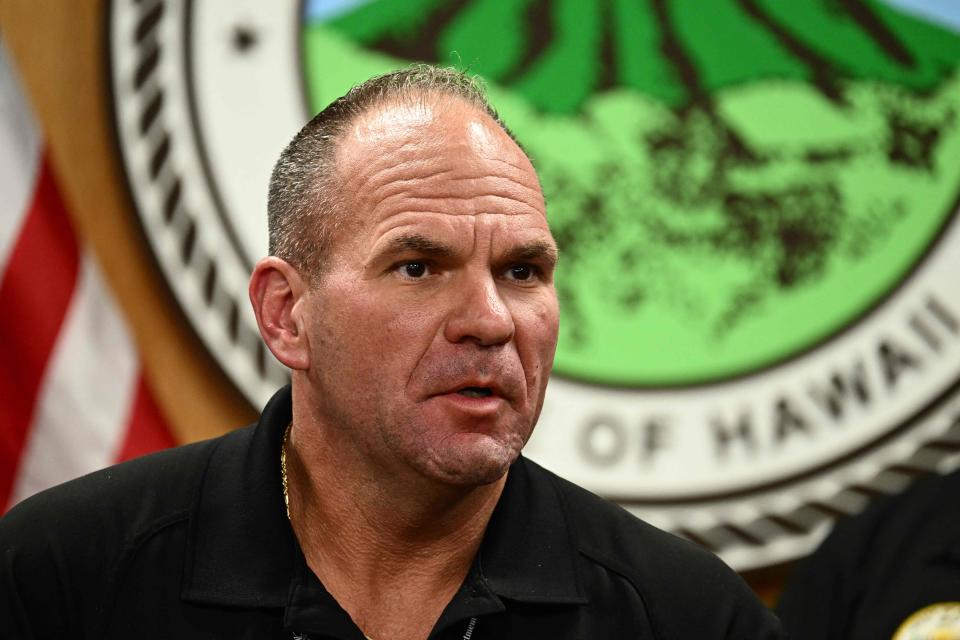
<point x="386" y="548"/>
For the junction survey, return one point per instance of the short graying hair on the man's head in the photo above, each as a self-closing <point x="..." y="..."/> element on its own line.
<point x="304" y="207"/>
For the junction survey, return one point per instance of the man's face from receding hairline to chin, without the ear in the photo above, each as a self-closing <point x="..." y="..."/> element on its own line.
<point x="432" y="331"/>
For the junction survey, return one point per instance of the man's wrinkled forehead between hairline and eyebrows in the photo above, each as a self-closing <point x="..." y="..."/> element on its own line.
<point x="406" y="162"/>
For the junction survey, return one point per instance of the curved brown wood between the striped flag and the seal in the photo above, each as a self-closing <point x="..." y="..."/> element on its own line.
<point x="59" y="49"/>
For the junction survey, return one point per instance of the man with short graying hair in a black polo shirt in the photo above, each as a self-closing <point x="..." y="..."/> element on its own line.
<point x="381" y="495"/>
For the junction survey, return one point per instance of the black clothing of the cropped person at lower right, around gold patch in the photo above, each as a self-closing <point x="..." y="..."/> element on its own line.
<point x="875" y="570"/>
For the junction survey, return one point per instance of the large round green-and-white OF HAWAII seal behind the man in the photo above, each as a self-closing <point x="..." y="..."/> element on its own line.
<point x="757" y="217"/>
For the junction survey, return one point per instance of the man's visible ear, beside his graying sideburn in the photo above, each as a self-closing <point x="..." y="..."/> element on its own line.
<point x="276" y="292"/>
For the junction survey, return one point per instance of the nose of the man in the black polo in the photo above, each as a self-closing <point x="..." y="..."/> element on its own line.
<point x="480" y="314"/>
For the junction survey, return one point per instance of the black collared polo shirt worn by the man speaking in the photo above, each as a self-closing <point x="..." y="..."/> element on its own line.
<point x="194" y="543"/>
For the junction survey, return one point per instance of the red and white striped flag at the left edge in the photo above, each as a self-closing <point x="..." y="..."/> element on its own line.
<point x="72" y="394"/>
